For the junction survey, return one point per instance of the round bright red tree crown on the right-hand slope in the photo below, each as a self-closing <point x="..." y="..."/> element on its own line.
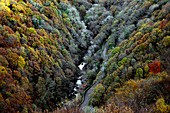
<point x="155" y="67"/>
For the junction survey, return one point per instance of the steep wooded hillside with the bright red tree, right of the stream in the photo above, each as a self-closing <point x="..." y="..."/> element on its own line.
<point x="128" y="63"/>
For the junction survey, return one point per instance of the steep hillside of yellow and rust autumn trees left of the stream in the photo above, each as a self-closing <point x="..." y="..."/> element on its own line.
<point x="40" y="49"/>
